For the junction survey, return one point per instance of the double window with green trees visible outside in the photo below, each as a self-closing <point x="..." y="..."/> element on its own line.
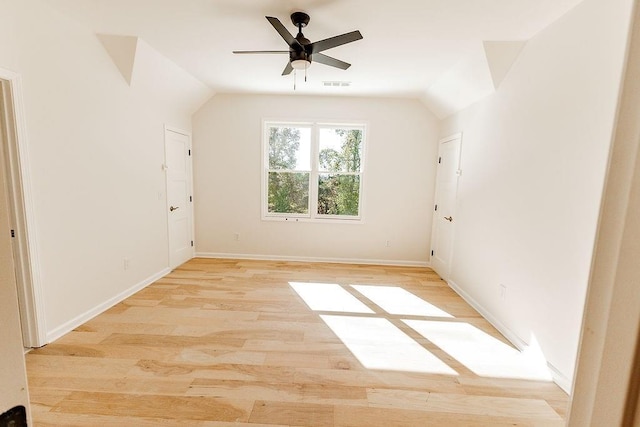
<point x="312" y="170"/>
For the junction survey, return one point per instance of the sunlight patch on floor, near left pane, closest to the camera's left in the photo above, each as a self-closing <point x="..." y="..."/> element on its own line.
<point x="378" y="344"/>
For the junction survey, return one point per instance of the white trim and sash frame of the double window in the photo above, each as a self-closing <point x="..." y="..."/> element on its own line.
<point x="312" y="216"/>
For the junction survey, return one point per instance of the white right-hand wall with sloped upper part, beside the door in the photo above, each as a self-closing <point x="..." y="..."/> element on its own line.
<point x="533" y="159"/>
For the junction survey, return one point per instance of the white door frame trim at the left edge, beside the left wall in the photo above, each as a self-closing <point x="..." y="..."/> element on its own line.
<point x="22" y="213"/>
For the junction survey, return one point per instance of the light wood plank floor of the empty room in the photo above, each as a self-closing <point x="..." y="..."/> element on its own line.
<point x="231" y="343"/>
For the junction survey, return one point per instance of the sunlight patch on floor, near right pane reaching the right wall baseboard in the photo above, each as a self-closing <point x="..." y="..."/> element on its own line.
<point x="480" y="352"/>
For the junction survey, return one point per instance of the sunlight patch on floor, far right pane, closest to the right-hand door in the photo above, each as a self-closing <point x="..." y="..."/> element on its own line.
<point x="395" y="300"/>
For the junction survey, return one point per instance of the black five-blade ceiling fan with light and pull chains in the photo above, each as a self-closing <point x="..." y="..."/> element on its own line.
<point x="301" y="50"/>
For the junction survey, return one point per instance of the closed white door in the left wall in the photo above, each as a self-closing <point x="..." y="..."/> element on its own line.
<point x="179" y="199"/>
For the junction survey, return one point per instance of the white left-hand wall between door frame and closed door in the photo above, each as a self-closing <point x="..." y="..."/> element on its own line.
<point x="96" y="147"/>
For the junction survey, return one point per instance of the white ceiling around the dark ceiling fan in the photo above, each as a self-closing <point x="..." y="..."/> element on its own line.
<point x="408" y="45"/>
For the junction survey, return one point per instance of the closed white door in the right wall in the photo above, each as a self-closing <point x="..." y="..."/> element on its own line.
<point x="445" y="202"/>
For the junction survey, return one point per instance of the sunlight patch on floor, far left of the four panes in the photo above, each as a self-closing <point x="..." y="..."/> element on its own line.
<point x="329" y="297"/>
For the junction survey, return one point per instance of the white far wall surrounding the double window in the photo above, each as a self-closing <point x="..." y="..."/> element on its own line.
<point x="401" y="149"/>
